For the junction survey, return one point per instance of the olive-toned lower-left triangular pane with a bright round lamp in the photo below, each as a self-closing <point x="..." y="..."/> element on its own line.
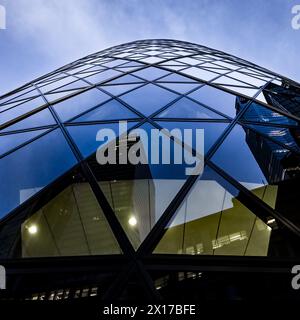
<point x="70" y="224"/>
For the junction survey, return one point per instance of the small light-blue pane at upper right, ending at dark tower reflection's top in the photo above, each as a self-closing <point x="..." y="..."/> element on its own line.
<point x="217" y="99"/>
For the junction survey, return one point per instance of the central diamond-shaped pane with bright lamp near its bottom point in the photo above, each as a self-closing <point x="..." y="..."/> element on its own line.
<point x="140" y="192"/>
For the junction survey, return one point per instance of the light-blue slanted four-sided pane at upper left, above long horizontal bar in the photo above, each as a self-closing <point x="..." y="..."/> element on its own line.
<point x="75" y="105"/>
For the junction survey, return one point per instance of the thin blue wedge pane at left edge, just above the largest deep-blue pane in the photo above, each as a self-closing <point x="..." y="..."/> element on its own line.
<point x="10" y="141"/>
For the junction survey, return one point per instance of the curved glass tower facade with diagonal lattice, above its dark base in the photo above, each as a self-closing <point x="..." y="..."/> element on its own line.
<point x="57" y="200"/>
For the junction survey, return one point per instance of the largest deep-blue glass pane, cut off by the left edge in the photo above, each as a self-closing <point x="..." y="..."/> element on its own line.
<point x="31" y="168"/>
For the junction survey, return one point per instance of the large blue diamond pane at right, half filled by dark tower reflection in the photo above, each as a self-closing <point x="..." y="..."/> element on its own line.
<point x="260" y="165"/>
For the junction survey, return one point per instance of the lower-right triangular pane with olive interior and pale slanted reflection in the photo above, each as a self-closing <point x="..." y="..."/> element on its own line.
<point x="212" y="221"/>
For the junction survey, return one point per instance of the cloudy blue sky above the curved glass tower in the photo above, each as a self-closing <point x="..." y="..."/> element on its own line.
<point x="42" y="35"/>
